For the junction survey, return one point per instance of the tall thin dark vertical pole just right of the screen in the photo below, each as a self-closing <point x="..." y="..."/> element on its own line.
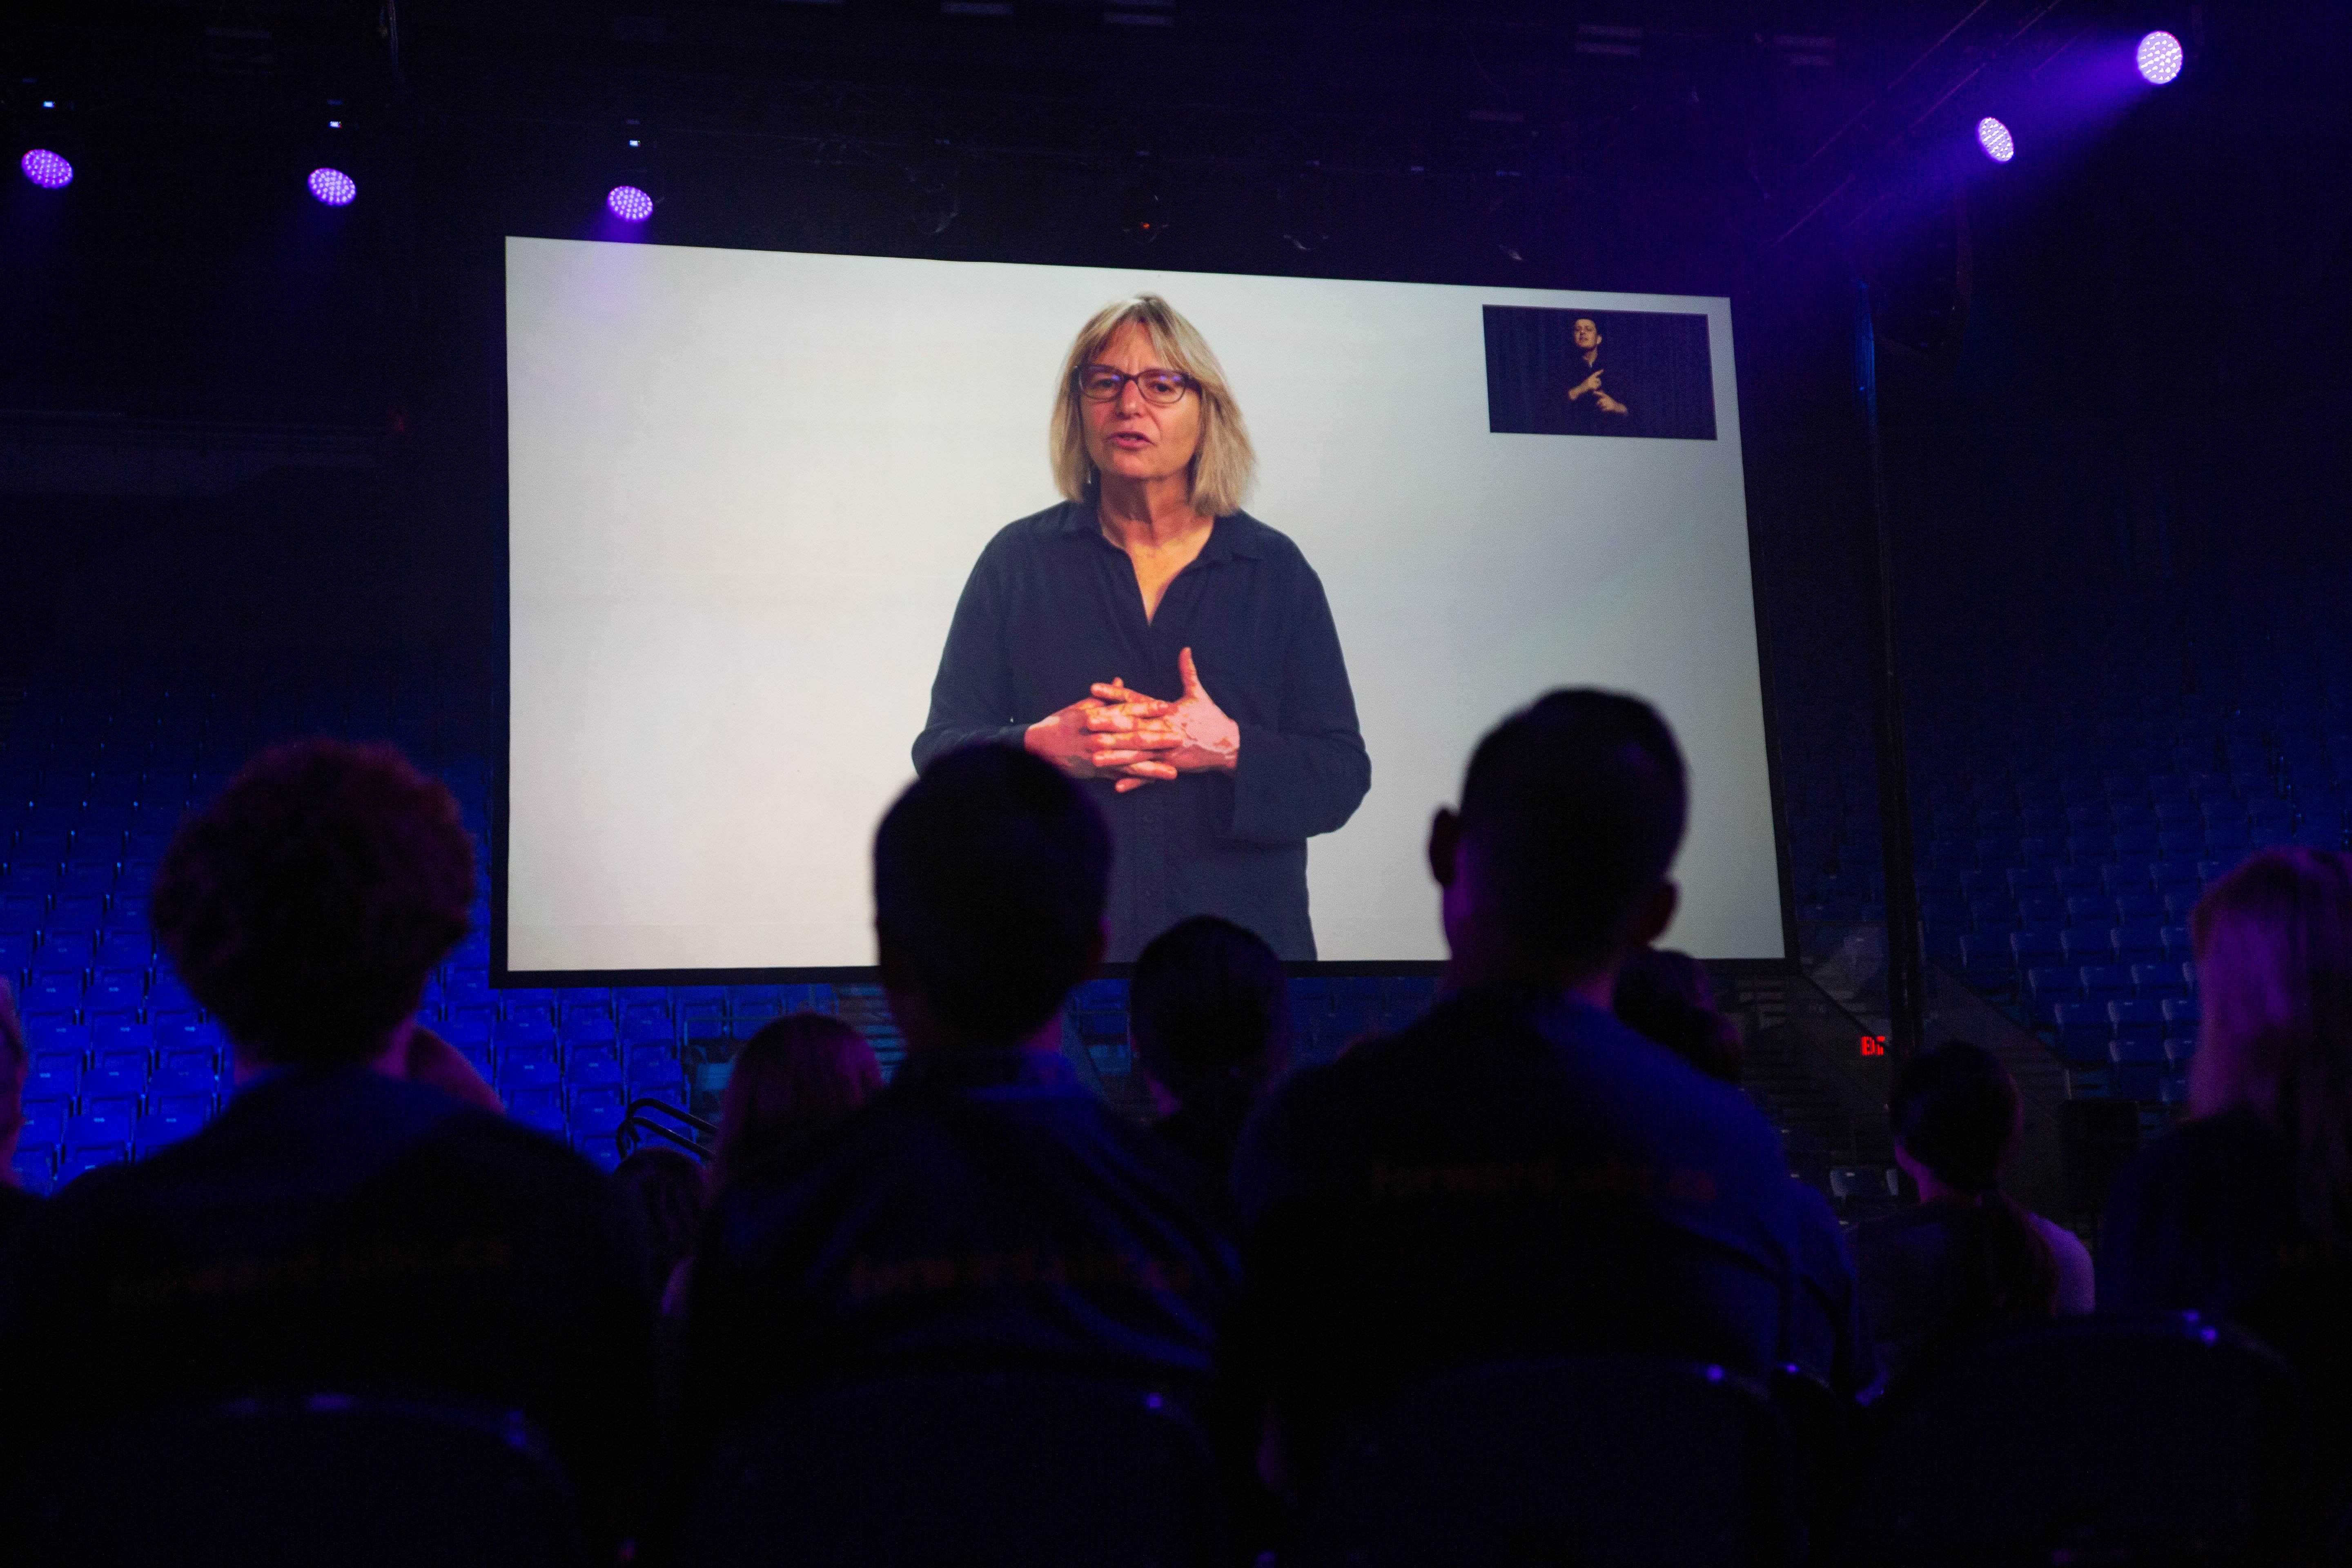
<point x="1906" y="958"/>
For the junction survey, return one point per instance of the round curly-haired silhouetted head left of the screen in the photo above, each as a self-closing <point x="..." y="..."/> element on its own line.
<point x="307" y="904"/>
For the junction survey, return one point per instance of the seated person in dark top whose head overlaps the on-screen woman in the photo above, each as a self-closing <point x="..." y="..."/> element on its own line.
<point x="984" y="1212"/>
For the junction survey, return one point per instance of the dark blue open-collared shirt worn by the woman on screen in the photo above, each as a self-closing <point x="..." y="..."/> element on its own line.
<point x="1055" y="608"/>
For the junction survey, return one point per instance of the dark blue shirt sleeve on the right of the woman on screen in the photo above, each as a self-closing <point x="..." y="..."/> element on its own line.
<point x="1311" y="772"/>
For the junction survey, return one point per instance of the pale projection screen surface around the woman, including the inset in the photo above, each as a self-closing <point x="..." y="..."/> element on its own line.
<point x="747" y="490"/>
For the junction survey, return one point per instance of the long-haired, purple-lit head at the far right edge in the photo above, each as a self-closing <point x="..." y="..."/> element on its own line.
<point x="2276" y="972"/>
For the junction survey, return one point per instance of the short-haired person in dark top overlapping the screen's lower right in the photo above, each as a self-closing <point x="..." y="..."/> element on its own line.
<point x="1521" y="1174"/>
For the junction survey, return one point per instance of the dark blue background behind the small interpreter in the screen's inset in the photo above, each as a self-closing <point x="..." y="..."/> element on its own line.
<point x="1657" y="366"/>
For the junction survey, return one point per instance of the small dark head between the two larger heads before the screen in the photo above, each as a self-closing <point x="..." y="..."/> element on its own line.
<point x="1210" y="1010"/>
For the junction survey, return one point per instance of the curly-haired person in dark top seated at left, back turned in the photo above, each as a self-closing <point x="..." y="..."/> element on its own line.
<point x="345" y="1226"/>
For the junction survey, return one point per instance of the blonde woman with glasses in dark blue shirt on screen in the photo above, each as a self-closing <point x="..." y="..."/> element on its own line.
<point x="1161" y="643"/>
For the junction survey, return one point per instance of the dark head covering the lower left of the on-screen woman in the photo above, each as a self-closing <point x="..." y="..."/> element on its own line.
<point x="989" y="897"/>
